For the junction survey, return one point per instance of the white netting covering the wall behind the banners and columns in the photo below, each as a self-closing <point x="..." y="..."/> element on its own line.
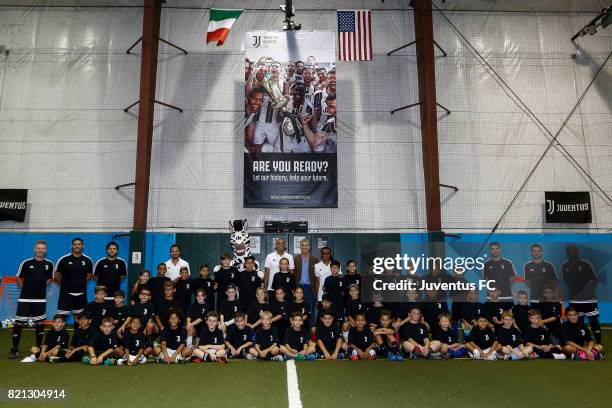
<point x="66" y="138"/>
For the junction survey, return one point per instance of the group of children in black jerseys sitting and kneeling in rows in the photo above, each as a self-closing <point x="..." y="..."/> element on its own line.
<point x="166" y="325"/>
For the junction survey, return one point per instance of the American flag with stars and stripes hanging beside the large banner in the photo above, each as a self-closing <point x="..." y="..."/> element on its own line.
<point x="355" y="35"/>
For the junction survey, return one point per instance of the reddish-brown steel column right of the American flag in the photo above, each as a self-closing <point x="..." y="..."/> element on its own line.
<point x="426" y="68"/>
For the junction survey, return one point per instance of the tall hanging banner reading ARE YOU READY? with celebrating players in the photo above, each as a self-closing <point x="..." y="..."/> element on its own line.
<point x="290" y="120"/>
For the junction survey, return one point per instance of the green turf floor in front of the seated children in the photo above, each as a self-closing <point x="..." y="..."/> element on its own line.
<point x="462" y="383"/>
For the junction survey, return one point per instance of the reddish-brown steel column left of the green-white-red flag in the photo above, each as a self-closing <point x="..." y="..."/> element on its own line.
<point x="148" y="76"/>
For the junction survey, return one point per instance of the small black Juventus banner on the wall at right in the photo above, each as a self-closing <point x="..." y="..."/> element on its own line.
<point x="568" y="207"/>
